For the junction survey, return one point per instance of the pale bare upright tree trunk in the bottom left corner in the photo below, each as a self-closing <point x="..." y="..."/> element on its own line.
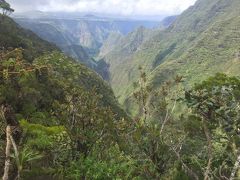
<point x="7" y="153"/>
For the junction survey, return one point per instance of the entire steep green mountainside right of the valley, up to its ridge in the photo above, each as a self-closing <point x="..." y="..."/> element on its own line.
<point x="201" y="41"/>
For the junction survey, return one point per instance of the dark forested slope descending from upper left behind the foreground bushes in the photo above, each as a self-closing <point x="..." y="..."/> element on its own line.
<point x="13" y="36"/>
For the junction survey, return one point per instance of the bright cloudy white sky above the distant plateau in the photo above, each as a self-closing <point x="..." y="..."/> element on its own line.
<point x="119" y="7"/>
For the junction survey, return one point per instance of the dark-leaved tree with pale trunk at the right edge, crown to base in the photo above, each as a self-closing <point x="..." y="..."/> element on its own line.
<point x="216" y="104"/>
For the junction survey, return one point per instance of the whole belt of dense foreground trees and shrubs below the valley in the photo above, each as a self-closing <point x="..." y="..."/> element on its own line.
<point x="61" y="125"/>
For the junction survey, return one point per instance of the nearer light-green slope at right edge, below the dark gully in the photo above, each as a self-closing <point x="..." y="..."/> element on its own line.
<point x="216" y="51"/>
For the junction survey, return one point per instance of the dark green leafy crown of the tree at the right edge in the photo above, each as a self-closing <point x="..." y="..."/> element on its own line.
<point x="217" y="100"/>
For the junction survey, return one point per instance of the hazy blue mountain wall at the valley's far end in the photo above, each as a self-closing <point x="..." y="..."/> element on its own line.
<point x="87" y="32"/>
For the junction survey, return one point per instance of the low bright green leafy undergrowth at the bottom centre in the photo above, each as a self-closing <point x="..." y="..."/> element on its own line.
<point x="116" y="166"/>
